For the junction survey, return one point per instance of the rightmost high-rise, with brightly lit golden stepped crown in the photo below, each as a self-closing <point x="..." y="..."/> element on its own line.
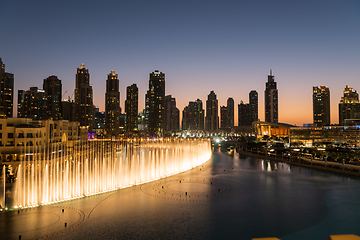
<point x="349" y="106"/>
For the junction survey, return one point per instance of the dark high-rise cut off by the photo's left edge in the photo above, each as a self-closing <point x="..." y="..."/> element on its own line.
<point x="6" y="91"/>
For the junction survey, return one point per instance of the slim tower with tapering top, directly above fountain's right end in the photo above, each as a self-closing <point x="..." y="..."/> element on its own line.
<point x="212" y="116"/>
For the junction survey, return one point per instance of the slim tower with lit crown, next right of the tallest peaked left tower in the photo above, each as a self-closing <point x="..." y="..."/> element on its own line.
<point x="112" y="105"/>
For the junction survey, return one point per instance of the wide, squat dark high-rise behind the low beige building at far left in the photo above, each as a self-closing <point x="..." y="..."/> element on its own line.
<point x="35" y="104"/>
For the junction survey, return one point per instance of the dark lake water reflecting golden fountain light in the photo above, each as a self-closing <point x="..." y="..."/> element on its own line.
<point x="251" y="198"/>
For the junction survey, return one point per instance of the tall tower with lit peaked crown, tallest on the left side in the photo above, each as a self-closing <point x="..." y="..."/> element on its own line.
<point x="84" y="108"/>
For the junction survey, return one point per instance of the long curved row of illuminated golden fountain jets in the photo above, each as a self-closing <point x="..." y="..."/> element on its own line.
<point x="95" y="167"/>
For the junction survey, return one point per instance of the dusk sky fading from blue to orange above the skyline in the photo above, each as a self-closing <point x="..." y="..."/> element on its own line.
<point x="225" y="46"/>
